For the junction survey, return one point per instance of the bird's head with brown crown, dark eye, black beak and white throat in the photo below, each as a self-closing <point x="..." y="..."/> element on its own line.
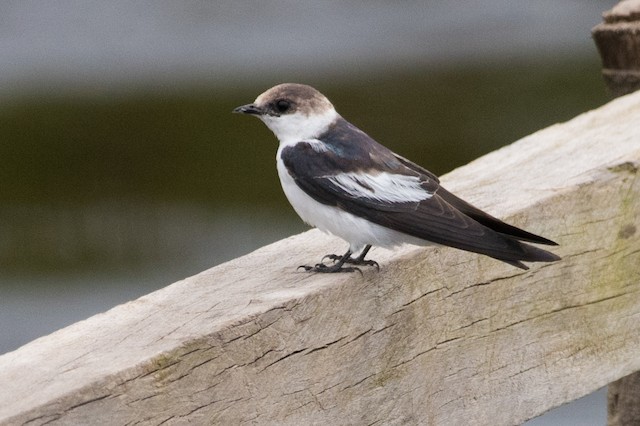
<point x="292" y="111"/>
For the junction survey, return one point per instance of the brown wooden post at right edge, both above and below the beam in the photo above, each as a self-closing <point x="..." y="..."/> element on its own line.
<point x="618" y="41"/>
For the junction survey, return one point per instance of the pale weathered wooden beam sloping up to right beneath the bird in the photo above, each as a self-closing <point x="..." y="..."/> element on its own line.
<point x="438" y="336"/>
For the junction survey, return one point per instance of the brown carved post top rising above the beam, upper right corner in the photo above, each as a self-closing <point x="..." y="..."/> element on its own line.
<point x="618" y="41"/>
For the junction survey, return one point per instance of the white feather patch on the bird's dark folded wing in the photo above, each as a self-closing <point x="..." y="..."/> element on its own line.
<point x="385" y="187"/>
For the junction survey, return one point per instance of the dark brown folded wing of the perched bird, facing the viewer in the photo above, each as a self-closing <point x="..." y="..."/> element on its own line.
<point x="431" y="218"/>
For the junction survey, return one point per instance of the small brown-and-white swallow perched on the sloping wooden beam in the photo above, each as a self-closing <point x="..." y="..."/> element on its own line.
<point x="341" y="181"/>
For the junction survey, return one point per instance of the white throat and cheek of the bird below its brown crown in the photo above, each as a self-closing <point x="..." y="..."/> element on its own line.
<point x="291" y="128"/>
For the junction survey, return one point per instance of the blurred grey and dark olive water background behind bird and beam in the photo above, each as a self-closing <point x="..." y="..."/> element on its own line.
<point x="122" y="169"/>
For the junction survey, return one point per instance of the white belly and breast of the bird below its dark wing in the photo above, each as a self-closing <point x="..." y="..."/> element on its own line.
<point x="357" y="231"/>
